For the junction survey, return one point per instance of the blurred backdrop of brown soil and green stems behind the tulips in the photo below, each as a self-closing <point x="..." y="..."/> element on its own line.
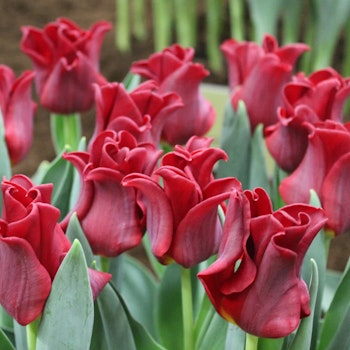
<point x="142" y="27"/>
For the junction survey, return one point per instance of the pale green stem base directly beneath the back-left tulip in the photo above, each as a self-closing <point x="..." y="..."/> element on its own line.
<point x="65" y="130"/>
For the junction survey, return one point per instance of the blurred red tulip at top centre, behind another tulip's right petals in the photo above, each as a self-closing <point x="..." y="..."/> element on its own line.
<point x="173" y="69"/>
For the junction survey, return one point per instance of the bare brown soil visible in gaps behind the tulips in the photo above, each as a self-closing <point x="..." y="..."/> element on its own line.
<point x="114" y="65"/>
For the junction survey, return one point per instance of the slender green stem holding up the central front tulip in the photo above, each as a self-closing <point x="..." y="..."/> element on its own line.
<point x="187" y="309"/>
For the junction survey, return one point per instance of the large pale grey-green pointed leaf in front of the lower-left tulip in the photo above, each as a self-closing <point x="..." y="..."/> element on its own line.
<point x="69" y="309"/>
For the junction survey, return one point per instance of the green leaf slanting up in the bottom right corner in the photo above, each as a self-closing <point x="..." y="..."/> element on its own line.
<point x="337" y="312"/>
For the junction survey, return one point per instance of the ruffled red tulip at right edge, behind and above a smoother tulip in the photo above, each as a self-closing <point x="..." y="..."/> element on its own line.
<point x="312" y="99"/>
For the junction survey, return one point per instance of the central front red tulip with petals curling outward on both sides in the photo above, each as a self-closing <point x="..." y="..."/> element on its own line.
<point x="182" y="216"/>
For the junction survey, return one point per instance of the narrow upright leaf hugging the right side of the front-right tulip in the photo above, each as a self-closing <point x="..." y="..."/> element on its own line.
<point x="303" y="336"/>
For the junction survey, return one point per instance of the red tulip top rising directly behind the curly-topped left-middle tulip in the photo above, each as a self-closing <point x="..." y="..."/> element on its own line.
<point x="143" y="112"/>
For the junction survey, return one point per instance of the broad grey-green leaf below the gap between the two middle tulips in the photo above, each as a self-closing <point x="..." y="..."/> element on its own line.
<point x="141" y="300"/>
